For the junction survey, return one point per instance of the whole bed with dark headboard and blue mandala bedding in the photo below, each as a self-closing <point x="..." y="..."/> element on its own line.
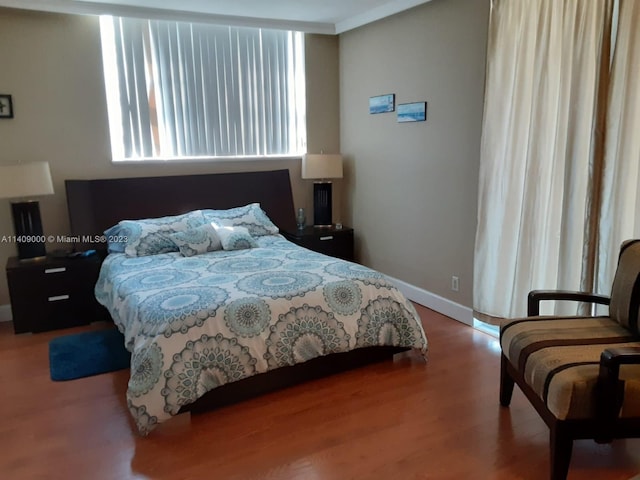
<point x="215" y="327"/>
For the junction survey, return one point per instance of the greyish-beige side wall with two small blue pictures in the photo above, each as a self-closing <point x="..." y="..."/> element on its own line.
<point x="411" y="189"/>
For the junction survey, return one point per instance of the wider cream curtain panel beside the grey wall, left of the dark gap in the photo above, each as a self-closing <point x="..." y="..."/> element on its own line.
<point x="545" y="65"/>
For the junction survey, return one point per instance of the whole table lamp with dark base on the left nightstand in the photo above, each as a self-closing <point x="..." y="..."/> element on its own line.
<point x="23" y="182"/>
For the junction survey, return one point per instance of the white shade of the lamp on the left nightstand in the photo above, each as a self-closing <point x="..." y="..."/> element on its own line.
<point x="25" y="180"/>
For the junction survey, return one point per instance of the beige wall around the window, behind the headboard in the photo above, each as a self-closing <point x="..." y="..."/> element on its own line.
<point x="51" y="65"/>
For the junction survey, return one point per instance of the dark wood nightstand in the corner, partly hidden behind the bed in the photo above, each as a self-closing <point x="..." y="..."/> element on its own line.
<point x="337" y="242"/>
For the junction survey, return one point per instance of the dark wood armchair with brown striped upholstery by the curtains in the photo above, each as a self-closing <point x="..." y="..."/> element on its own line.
<point x="581" y="374"/>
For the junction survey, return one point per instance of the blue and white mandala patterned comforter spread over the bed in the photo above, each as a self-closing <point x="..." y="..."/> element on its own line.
<point x="194" y="323"/>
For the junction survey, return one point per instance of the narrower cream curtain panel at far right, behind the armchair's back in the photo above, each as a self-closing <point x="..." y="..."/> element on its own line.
<point x="620" y="213"/>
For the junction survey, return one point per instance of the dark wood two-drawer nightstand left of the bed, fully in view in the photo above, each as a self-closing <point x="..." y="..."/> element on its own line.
<point x="51" y="293"/>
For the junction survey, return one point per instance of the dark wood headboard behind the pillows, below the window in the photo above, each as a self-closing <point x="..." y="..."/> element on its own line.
<point x="95" y="205"/>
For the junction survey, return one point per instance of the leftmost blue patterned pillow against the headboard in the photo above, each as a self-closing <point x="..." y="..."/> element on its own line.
<point x="150" y="236"/>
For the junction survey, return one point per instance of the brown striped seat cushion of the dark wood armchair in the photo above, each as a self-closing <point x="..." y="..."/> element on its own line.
<point x="560" y="357"/>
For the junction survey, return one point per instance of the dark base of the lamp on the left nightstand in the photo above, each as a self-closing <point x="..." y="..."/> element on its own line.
<point x="28" y="228"/>
